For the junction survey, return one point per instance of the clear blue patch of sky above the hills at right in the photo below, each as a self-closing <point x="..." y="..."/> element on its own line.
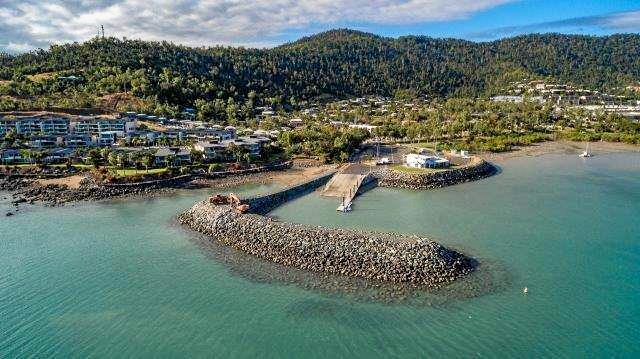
<point x="515" y="18"/>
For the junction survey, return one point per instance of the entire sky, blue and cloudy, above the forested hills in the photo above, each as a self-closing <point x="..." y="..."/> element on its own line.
<point x="26" y="25"/>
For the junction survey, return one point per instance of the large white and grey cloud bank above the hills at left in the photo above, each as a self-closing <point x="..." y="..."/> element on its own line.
<point x="37" y="23"/>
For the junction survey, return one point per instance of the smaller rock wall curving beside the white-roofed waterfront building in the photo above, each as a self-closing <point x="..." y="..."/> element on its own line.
<point x="476" y="169"/>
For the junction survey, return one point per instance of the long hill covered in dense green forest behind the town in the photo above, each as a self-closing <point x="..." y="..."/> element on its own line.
<point x="336" y="63"/>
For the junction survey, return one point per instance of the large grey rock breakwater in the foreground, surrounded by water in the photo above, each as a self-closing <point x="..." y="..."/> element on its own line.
<point x="376" y="256"/>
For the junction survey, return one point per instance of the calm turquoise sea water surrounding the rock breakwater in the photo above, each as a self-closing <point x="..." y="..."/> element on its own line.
<point x="121" y="279"/>
